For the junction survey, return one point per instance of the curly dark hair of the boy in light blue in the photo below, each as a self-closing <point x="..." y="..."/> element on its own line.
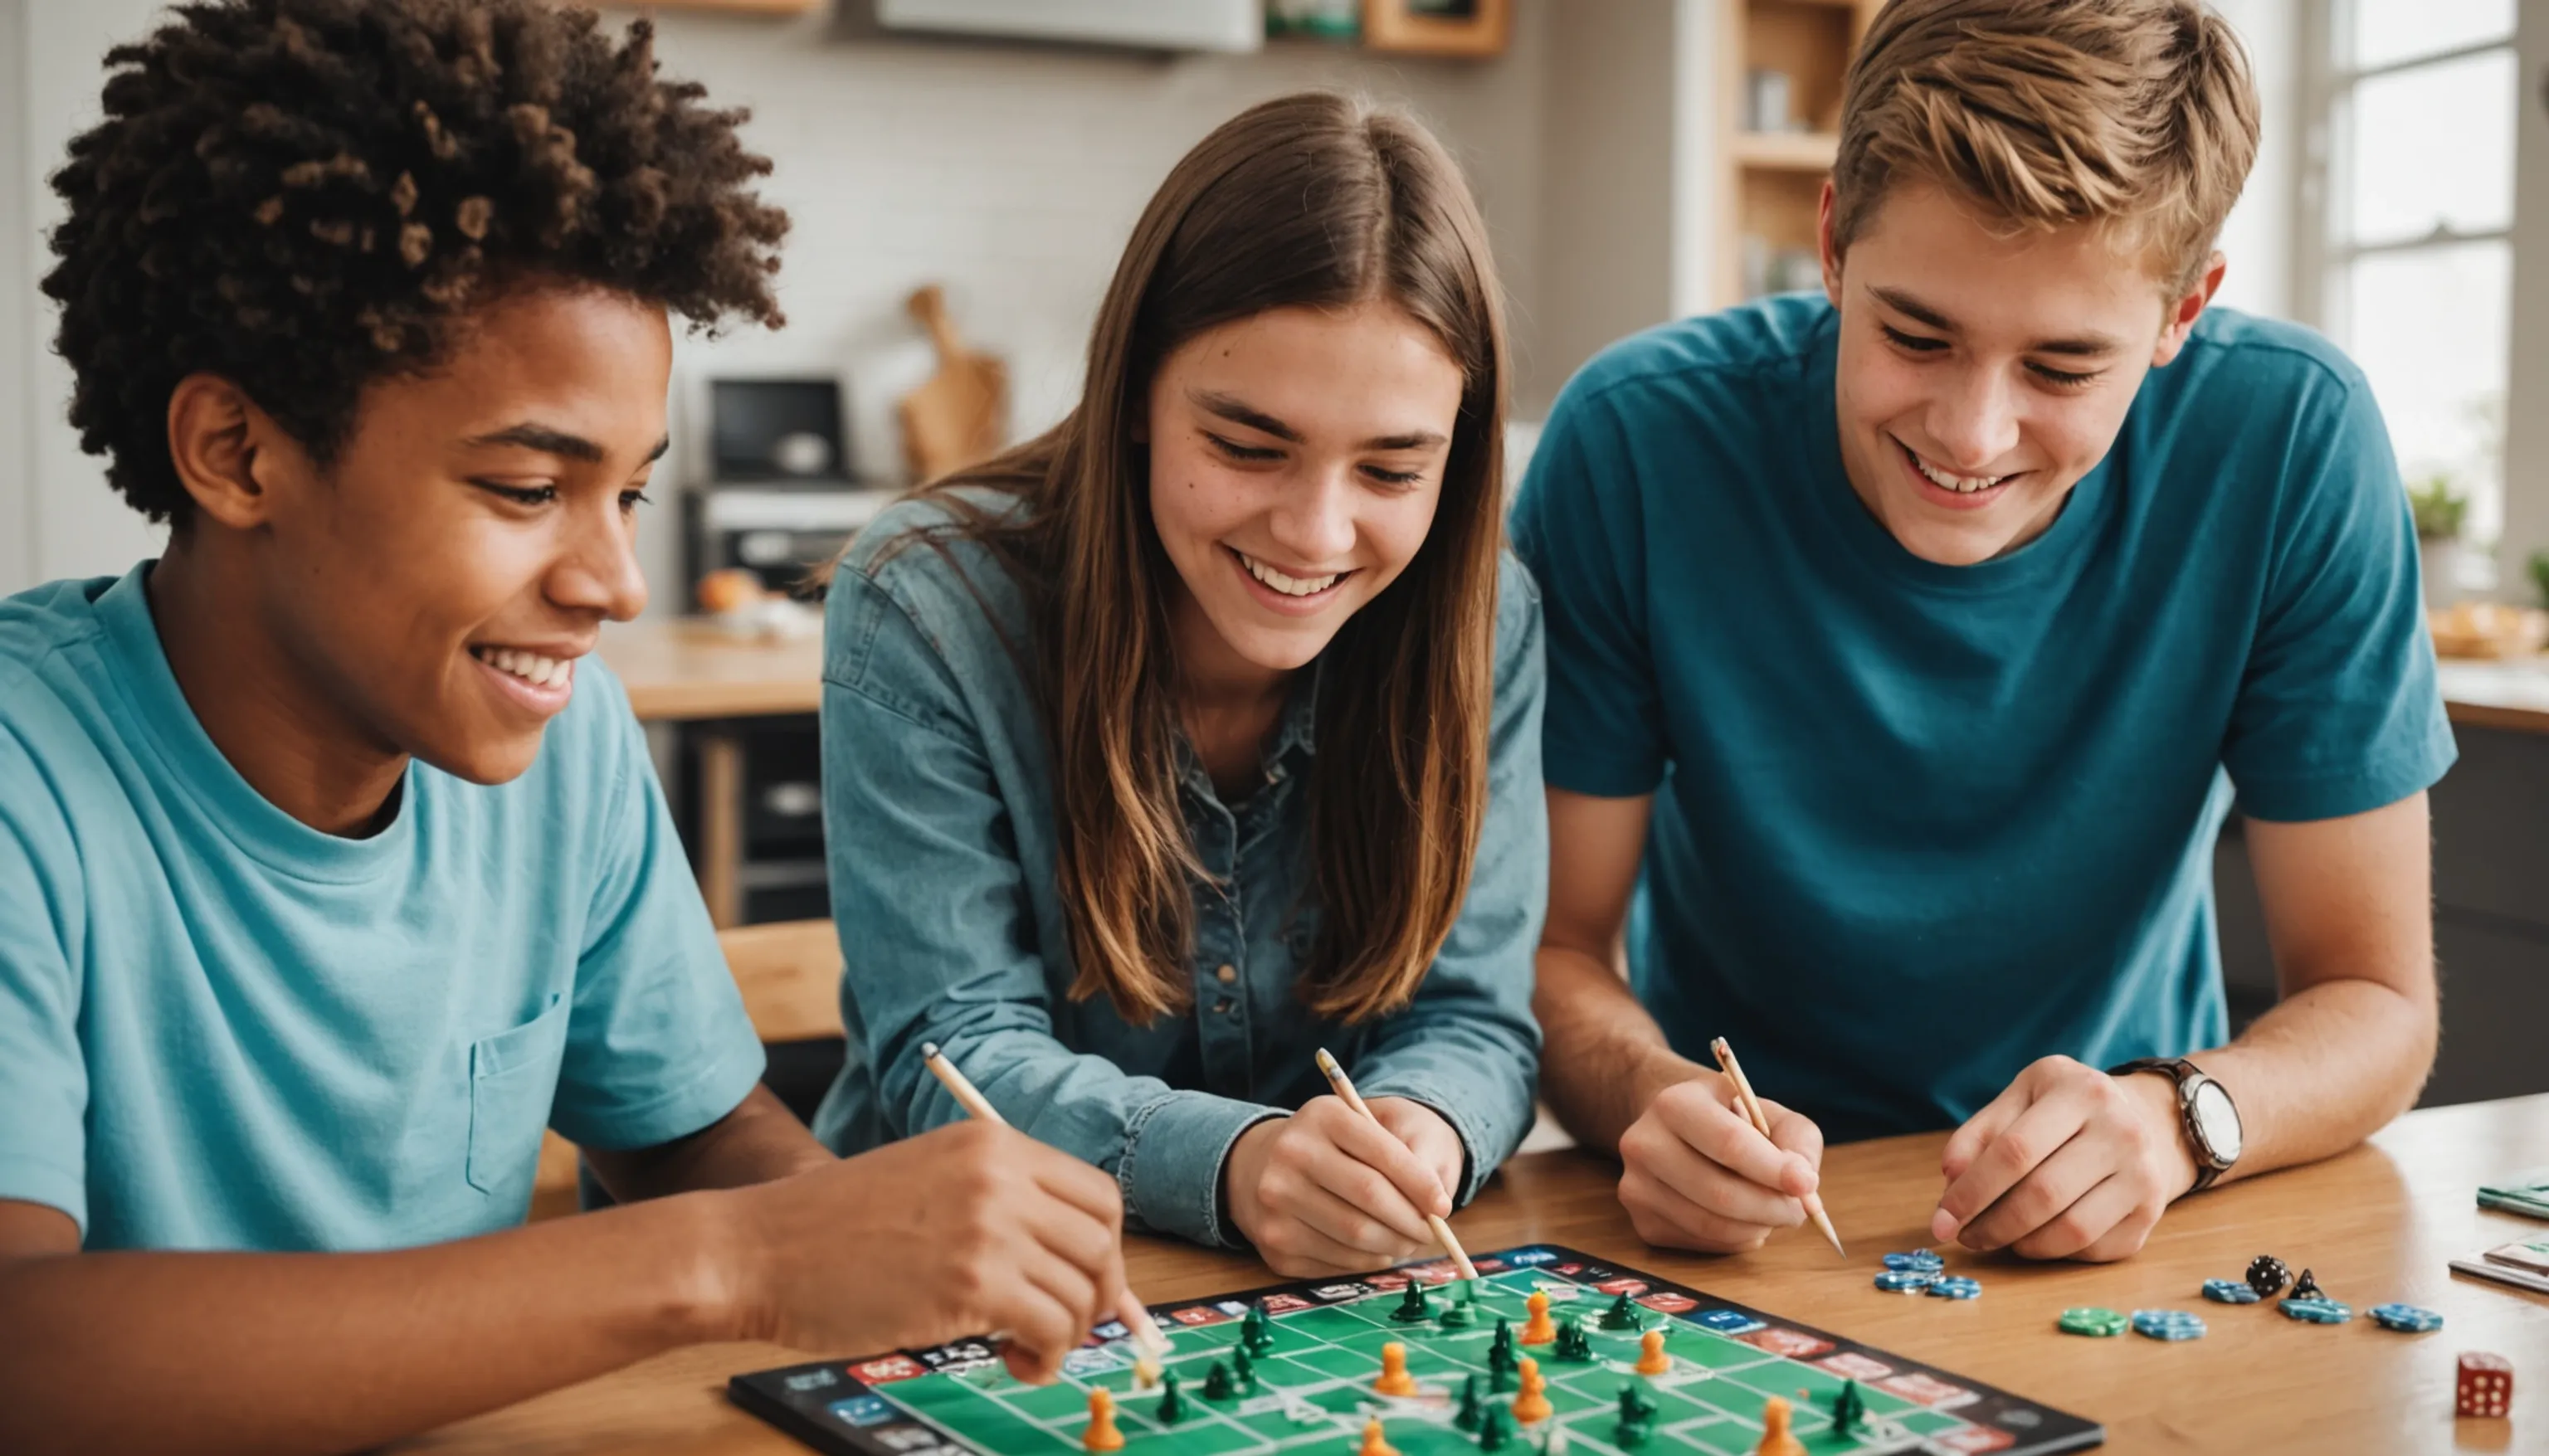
<point x="312" y="195"/>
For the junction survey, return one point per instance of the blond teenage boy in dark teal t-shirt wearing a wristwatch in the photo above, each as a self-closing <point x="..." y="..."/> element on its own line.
<point x="1910" y="646"/>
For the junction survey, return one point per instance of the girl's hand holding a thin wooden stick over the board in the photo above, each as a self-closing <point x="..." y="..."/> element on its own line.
<point x="1327" y="1192"/>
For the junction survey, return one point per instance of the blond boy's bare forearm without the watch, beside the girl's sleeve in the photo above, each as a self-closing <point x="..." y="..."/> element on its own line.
<point x="1602" y="1054"/>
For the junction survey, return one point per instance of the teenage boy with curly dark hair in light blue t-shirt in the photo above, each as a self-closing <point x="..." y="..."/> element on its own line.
<point x="333" y="868"/>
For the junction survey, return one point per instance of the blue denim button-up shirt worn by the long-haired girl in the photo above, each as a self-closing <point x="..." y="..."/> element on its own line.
<point x="942" y="838"/>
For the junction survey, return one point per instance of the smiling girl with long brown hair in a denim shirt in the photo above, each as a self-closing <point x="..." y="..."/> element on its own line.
<point x="1204" y="731"/>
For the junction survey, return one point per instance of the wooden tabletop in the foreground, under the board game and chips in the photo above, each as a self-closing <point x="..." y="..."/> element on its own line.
<point x="2377" y="1225"/>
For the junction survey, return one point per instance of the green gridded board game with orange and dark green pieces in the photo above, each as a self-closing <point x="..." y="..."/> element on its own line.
<point x="1314" y="1386"/>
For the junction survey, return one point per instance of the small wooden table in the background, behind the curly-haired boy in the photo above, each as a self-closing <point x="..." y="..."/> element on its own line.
<point x="700" y="674"/>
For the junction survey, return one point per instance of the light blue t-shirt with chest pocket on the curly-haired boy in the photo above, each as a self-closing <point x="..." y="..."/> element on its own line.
<point x="228" y="1031"/>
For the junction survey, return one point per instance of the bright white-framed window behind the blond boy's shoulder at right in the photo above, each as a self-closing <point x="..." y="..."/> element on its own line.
<point x="2408" y="251"/>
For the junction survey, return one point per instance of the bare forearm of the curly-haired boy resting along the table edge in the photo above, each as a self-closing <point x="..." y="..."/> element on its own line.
<point x="335" y="1353"/>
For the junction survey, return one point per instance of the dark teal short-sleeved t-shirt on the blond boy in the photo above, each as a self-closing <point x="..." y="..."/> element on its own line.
<point x="1923" y="825"/>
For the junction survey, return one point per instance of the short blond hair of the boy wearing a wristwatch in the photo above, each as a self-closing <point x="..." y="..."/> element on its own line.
<point x="2130" y="116"/>
